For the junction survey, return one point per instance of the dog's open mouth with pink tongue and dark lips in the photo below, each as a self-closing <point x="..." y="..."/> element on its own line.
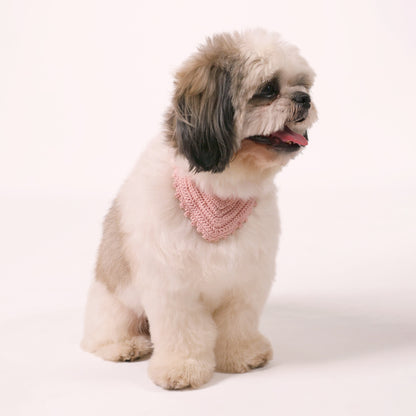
<point x="282" y="140"/>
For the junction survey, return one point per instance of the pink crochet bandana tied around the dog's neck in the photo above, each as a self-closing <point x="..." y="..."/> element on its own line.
<point x="214" y="218"/>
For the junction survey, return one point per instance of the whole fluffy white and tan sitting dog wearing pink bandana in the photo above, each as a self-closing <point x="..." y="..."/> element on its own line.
<point x="188" y="251"/>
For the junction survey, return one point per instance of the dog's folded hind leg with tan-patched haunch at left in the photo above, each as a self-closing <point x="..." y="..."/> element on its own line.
<point x="112" y="330"/>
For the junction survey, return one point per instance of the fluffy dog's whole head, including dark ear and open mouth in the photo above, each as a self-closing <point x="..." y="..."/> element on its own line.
<point x="242" y="98"/>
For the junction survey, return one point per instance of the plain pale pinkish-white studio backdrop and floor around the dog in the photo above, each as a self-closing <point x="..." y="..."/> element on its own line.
<point x="83" y="88"/>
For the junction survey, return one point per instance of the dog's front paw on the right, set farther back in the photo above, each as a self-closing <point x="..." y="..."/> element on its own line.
<point x="241" y="356"/>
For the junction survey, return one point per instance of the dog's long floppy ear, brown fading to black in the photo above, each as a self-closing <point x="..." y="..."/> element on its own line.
<point x="204" y="113"/>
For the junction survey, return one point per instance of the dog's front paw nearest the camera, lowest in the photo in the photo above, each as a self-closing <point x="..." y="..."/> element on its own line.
<point x="180" y="373"/>
